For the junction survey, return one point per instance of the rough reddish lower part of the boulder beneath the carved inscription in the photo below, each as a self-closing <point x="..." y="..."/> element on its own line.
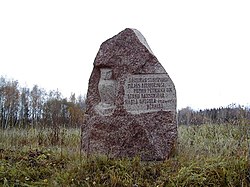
<point x="150" y="136"/>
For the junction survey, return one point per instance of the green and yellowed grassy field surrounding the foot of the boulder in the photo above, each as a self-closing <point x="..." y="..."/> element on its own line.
<point x="207" y="155"/>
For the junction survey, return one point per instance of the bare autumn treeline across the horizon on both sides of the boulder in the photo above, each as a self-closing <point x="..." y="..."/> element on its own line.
<point x="25" y="107"/>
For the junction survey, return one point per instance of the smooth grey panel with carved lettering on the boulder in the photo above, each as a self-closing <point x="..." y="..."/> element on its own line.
<point x="149" y="93"/>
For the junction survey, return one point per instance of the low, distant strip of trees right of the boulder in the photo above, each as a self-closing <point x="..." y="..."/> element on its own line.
<point x="233" y="114"/>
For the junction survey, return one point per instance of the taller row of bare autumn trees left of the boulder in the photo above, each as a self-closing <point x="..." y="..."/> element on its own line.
<point x="24" y="107"/>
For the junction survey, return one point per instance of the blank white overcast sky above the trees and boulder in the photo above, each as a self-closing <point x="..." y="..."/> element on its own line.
<point x="203" y="45"/>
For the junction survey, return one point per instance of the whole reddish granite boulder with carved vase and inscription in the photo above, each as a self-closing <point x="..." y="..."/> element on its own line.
<point x="131" y="102"/>
